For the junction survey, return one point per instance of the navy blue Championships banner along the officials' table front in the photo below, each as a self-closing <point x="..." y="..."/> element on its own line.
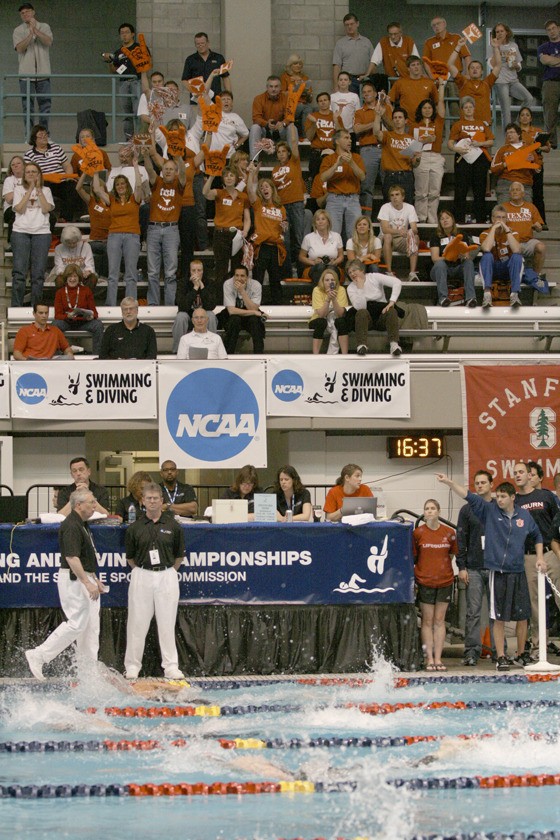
<point x="300" y="563"/>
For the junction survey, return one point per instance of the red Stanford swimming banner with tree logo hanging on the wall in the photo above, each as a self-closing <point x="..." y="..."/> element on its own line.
<point x="510" y="414"/>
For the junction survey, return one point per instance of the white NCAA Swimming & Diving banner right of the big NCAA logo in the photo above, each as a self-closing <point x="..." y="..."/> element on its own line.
<point x="327" y="386"/>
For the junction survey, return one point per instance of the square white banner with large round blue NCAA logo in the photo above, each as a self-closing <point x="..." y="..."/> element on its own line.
<point x="213" y="415"/>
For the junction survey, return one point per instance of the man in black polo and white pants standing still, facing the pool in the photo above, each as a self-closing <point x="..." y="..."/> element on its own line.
<point x="154" y="548"/>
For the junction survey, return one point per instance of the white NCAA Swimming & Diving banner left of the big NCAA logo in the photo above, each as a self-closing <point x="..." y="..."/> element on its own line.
<point x="66" y="390"/>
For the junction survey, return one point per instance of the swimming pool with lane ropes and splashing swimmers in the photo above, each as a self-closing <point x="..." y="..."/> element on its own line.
<point x="367" y="787"/>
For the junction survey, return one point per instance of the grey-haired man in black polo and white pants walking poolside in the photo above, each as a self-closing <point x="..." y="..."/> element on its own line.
<point x="78" y="589"/>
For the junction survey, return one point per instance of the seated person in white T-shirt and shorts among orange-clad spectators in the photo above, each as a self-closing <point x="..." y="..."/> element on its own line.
<point x="399" y="226"/>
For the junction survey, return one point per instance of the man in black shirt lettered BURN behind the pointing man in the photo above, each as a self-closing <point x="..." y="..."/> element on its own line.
<point x="542" y="506"/>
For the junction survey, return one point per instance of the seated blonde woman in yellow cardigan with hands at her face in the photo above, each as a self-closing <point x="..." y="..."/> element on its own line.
<point x="329" y="302"/>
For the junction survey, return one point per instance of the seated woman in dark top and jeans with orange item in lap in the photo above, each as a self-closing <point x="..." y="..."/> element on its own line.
<point x="443" y="270"/>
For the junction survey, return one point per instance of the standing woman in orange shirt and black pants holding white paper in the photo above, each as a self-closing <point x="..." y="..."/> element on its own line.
<point x="471" y="141"/>
